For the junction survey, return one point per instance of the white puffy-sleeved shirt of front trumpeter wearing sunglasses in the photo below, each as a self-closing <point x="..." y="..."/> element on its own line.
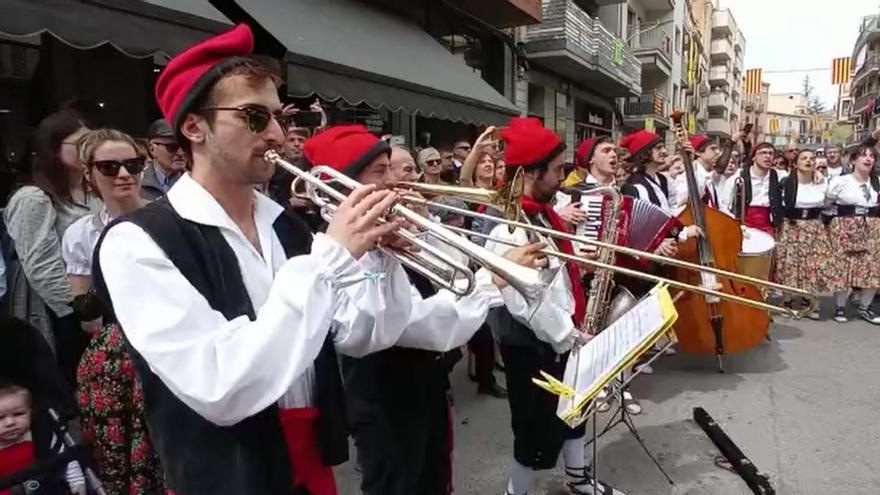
<point x="227" y="370"/>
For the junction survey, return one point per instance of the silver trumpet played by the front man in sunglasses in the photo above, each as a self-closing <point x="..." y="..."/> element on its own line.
<point x="319" y="186"/>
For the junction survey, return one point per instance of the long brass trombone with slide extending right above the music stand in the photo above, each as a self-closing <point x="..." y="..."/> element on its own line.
<point x="488" y="197"/>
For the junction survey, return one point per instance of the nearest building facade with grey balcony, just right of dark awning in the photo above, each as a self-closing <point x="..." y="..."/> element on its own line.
<point x="578" y="66"/>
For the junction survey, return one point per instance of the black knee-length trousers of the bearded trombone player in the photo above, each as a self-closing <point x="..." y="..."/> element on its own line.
<point x="538" y="434"/>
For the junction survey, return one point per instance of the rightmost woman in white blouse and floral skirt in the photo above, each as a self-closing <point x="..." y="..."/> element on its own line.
<point x="855" y="234"/>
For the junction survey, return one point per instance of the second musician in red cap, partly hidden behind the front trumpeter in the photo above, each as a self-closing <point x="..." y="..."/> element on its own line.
<point x="396" y="398"/>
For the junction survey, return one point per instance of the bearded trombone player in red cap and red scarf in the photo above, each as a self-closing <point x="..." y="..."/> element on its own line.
<point x="542" y="342"/>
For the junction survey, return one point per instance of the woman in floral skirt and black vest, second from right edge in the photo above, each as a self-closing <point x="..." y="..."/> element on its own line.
<point x="802" y="244"/>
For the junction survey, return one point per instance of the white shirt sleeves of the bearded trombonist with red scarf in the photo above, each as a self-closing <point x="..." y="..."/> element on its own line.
<point x="551" y="318"/>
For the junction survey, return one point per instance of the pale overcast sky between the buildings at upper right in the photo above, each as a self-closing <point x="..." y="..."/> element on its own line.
<point x="799" y="34"/>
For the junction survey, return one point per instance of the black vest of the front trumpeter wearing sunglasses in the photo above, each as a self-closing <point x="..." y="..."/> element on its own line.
<point x="200" y="457"/>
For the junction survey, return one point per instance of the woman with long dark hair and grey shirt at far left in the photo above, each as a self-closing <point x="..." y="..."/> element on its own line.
<point x="53" y="197"/>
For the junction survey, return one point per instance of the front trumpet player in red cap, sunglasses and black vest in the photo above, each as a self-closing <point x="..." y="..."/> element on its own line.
<point x="233" y="308"/>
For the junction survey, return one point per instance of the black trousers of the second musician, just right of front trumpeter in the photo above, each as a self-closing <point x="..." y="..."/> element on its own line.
<point x="402" y="442"/>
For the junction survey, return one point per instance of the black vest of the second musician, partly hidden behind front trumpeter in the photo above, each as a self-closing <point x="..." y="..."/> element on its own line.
<point x="401" y="374"/>
